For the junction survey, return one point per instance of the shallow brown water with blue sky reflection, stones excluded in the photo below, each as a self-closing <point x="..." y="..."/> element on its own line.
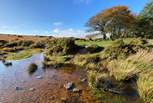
<point x="49" y="89"/>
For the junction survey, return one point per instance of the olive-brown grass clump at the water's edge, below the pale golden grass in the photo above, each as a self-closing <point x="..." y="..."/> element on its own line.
<point x="97" y="81"/>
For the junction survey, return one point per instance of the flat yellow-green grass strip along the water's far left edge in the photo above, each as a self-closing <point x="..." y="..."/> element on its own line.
<point x="22" y="54"/>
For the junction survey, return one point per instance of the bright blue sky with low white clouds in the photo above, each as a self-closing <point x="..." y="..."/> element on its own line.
<point x="55" y="17"/>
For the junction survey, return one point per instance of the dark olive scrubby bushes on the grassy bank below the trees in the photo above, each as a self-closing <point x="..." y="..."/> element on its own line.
<point x="121" y="49"/>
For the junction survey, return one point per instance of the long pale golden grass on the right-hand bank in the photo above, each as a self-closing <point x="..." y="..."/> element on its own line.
<point x="140" y="64"/>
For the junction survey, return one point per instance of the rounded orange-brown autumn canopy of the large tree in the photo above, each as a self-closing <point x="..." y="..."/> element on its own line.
<point x="117" y="20"/>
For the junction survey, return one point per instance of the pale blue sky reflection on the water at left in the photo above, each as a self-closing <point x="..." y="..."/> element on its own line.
<point x="12" y="75"/>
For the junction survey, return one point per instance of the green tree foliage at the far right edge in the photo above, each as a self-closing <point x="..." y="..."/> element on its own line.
<point x="145" y="21"/>
